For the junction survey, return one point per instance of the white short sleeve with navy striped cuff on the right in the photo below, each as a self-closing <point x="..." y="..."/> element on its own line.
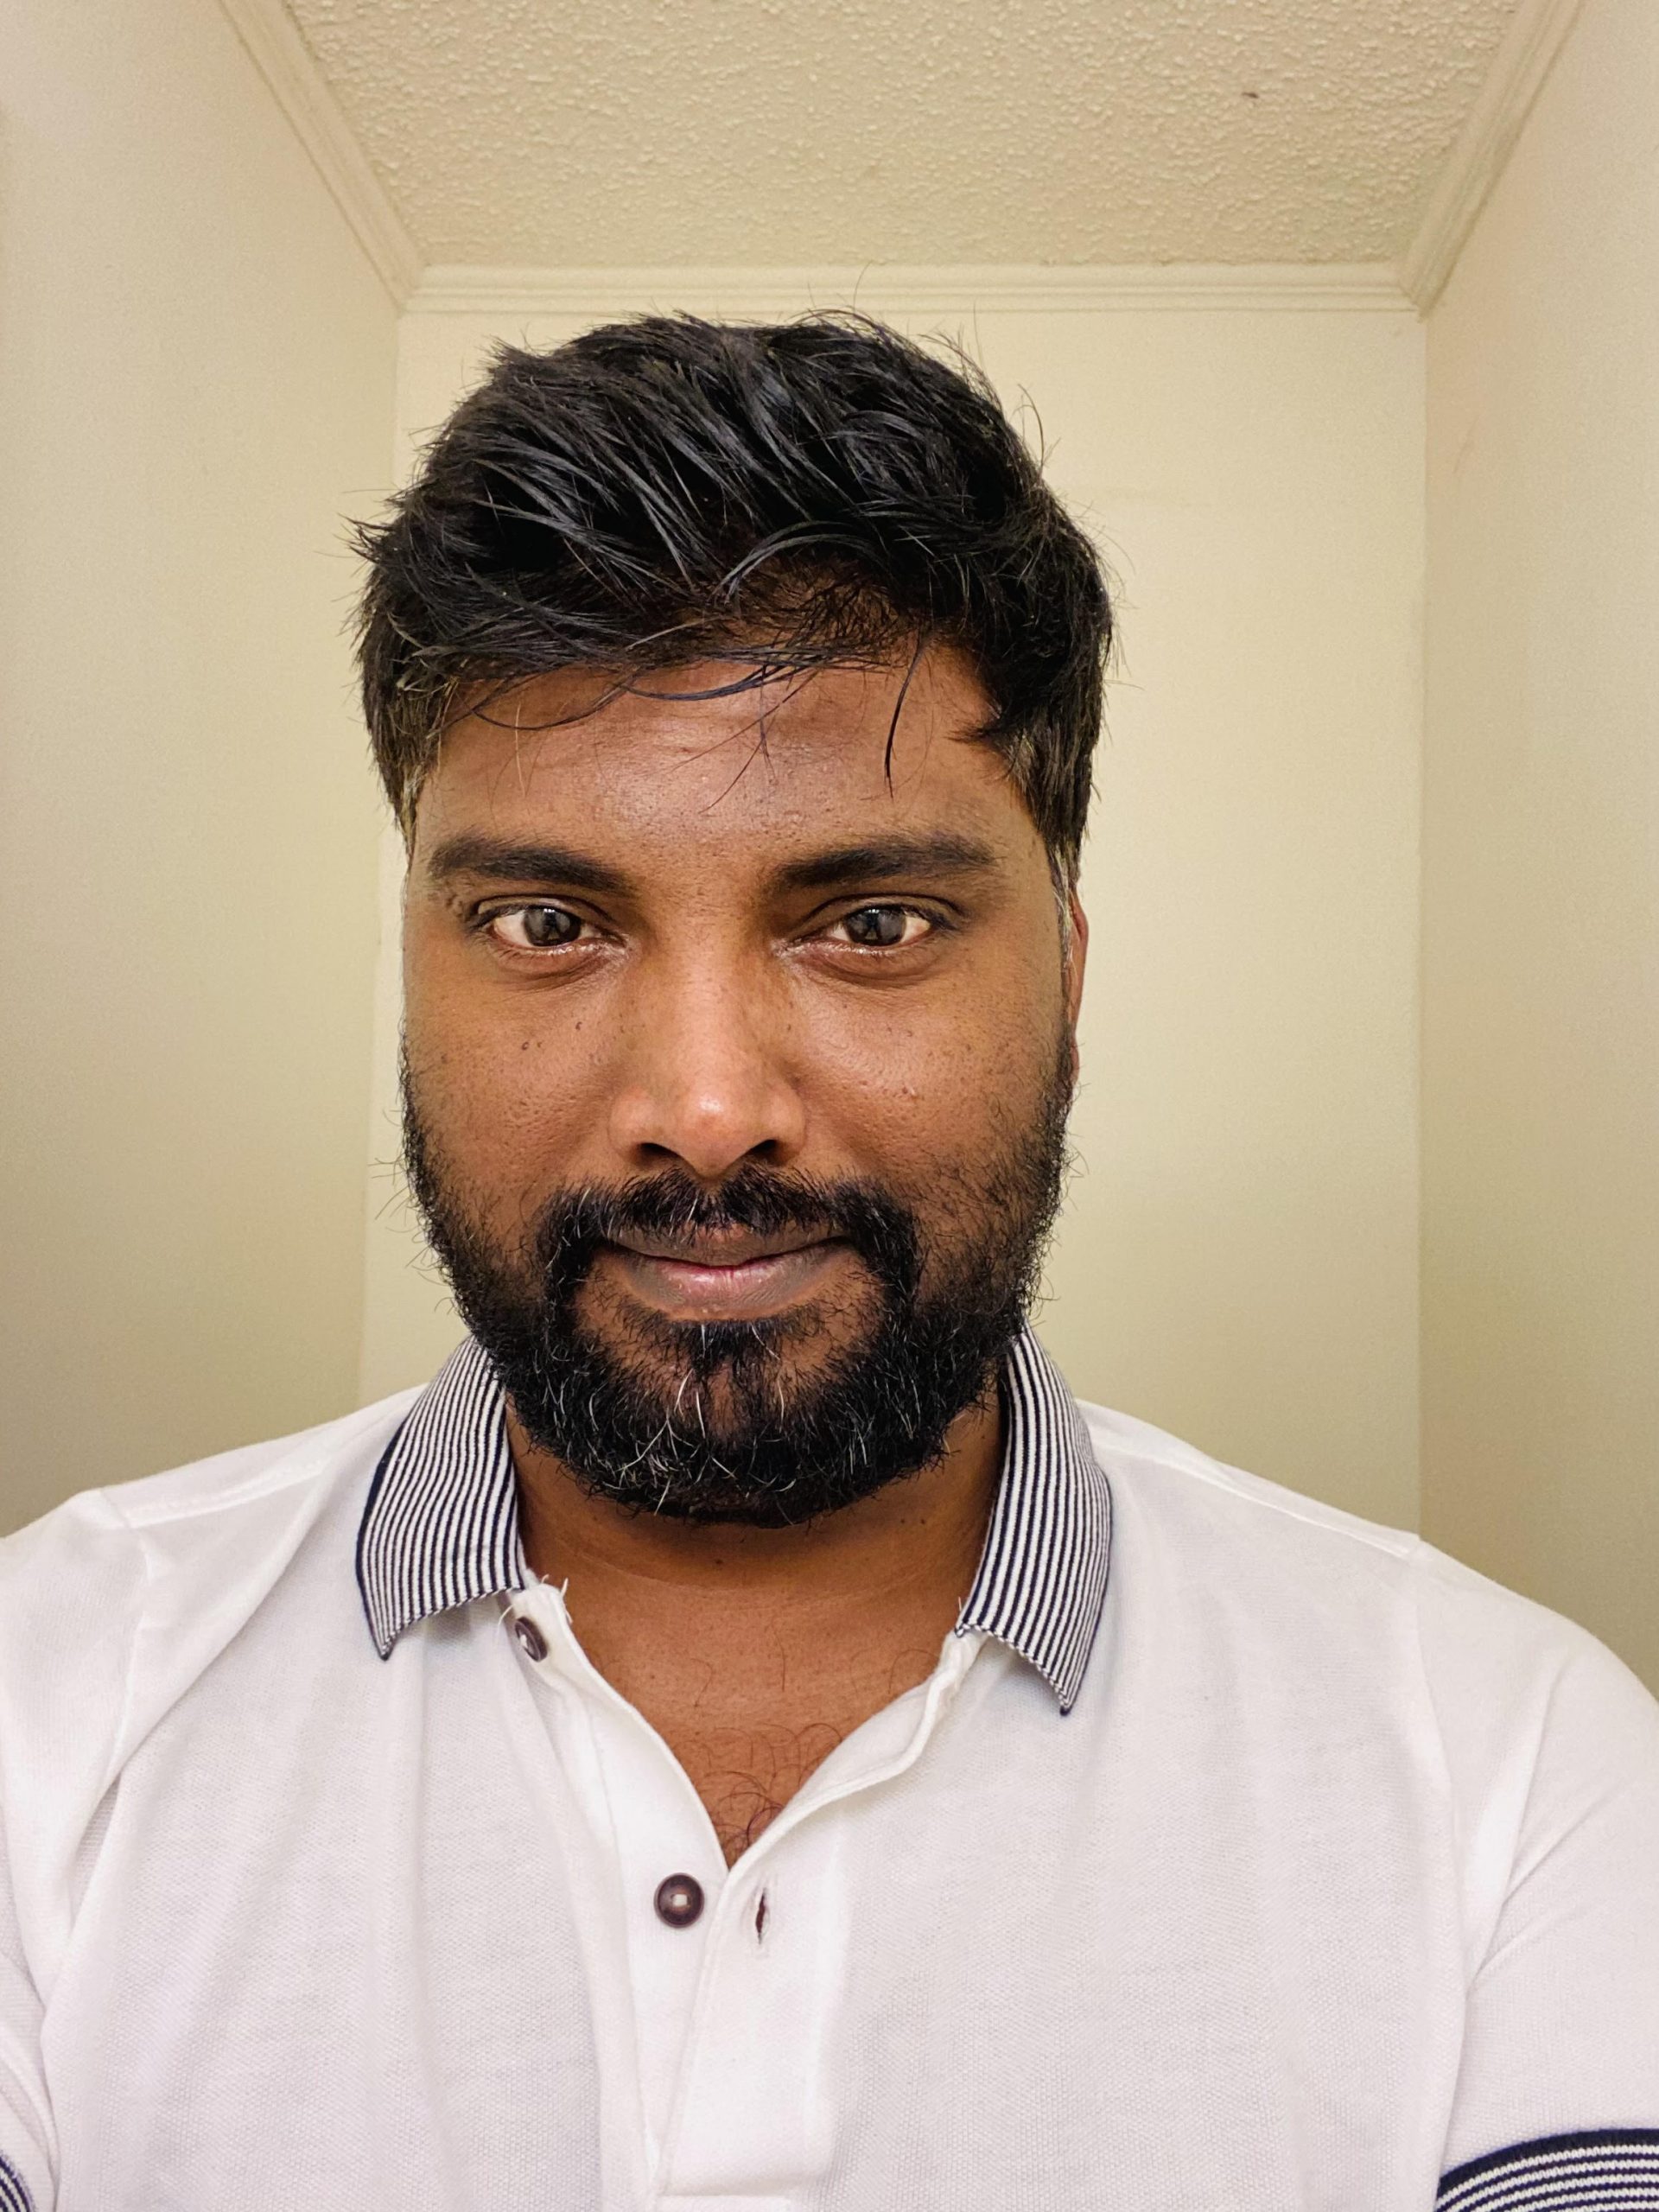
<point x="1558" y="2089"/>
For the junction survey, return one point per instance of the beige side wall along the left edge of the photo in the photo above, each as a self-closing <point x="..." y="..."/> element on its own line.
<point x="196" y="382"/>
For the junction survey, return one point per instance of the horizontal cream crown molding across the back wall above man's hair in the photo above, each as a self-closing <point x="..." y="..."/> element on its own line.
<point x="1359" y="286"/>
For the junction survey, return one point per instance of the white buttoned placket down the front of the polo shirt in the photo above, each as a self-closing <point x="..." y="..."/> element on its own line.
<point x="735" y="1976"/>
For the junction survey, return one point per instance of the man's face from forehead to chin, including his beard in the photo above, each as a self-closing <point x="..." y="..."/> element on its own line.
<point x="738" y="1061"/>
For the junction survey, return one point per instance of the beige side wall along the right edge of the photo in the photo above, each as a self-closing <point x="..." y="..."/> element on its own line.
<point x="1541" y="1005"/>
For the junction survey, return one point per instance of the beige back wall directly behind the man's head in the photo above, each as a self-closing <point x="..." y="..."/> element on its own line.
<point x="1240" y="1255"/>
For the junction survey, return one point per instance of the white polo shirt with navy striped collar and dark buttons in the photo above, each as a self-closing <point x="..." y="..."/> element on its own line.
<point x="1238" y="1857"/>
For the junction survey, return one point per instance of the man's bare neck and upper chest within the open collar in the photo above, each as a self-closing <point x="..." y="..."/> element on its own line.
<point x="780" y="1638"/>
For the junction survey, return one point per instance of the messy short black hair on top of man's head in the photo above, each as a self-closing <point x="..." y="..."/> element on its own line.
<point x="778" y="499"/>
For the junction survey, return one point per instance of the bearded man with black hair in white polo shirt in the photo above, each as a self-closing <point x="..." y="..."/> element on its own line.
<point x="744" y="1738"/>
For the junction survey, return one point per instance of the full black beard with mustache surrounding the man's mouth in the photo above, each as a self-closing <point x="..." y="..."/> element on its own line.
<point x="735" y="1437"/>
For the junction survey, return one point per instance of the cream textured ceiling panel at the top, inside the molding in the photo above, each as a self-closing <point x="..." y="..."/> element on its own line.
<point x="844" y="132"/>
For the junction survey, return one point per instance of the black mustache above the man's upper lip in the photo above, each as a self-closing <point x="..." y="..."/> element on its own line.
<point x="764" y="1202"/>
